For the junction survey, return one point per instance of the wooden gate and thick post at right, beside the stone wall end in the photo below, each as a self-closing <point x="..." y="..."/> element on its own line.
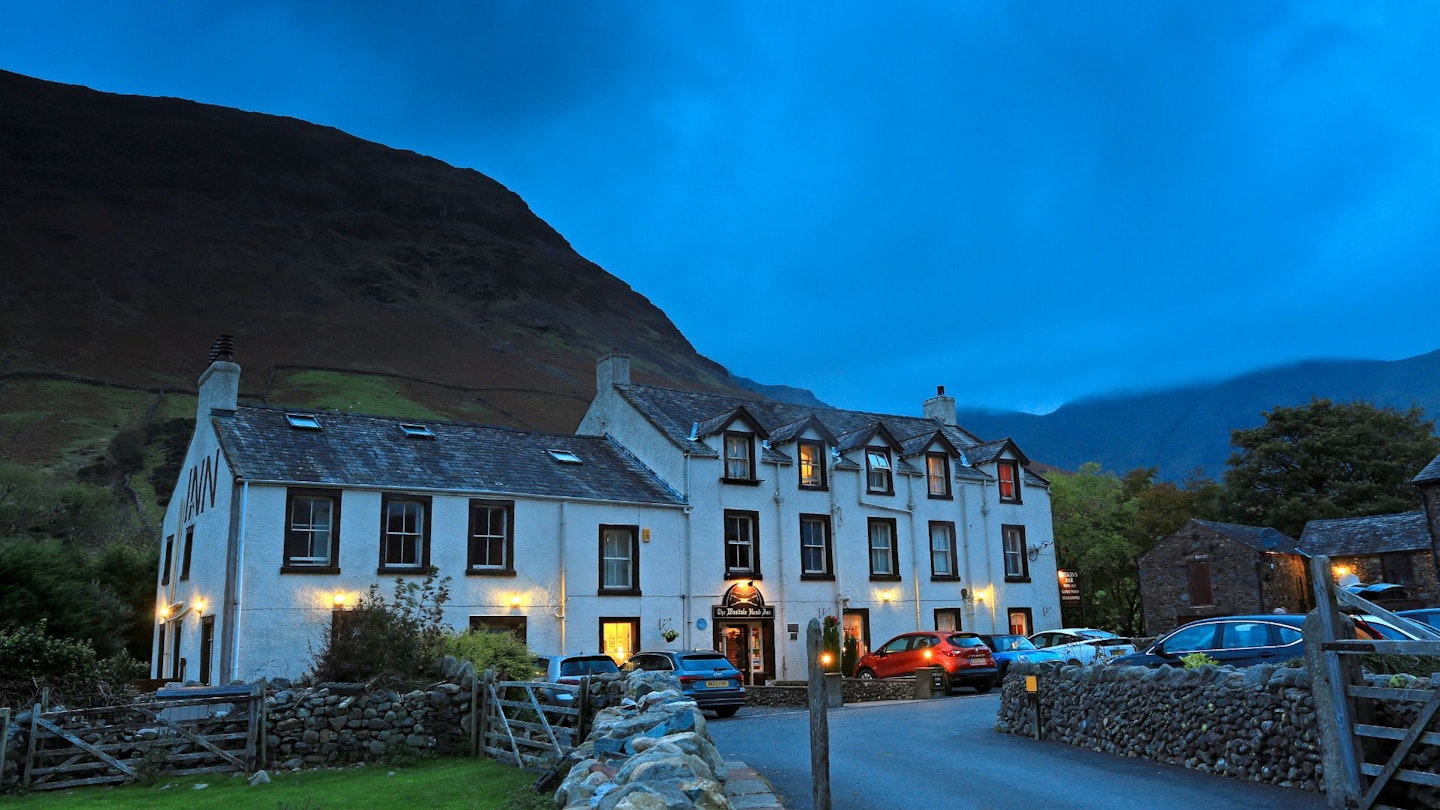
<point x="1347" y="707"/>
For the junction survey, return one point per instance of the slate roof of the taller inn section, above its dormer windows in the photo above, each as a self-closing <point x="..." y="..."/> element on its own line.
<point x="675" y="413"/>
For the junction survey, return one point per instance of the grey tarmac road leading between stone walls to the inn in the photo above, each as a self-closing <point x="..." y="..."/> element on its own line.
<point x="947" y="755"/>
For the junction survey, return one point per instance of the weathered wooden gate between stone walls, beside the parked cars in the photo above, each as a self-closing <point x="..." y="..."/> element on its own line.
<point x="529" y="724"/>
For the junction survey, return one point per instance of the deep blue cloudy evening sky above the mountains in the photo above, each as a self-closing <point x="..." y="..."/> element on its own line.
<point x="1026" y="202"/>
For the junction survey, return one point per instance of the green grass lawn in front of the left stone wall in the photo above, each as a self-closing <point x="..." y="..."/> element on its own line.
<point x="479" y="785"/>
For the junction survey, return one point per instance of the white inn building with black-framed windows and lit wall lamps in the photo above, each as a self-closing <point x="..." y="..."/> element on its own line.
<point x="731" y="522"/>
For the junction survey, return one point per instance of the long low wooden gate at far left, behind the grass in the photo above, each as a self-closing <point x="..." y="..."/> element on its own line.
<point x="120" y="744"/>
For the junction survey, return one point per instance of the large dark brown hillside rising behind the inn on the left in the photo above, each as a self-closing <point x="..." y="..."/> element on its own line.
<point x="133" y="231"/>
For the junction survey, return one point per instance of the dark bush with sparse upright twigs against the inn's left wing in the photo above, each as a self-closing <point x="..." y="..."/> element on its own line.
<point x="402" y="639"/>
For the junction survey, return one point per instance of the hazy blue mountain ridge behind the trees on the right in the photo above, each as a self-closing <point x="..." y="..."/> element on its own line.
<point x="1184" y="429"/>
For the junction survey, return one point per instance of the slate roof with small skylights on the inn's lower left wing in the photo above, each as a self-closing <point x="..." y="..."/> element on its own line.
<point x="372" y="452"/>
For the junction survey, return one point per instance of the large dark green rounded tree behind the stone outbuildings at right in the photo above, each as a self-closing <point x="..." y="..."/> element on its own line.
<point x="1324" y="460"/>
